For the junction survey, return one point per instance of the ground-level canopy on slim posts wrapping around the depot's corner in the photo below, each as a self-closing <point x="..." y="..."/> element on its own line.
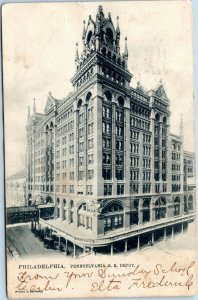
<point x="136" y="240"/>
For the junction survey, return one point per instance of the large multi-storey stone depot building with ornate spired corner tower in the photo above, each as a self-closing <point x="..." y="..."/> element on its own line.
<point x="101" y="163"/>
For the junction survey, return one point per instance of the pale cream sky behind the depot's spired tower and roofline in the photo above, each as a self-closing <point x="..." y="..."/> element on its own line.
<point x="39" y="51"/>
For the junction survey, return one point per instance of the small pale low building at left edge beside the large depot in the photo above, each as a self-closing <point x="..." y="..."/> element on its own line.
<point x="16" y="189"/>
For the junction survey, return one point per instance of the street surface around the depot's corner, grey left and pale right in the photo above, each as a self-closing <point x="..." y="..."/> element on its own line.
<point x="21" y="242"/>
